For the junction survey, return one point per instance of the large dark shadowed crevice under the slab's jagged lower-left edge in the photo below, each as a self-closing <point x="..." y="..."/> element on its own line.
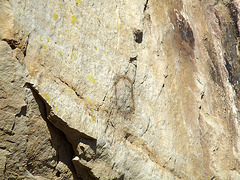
<point x="72" y="136"/>
